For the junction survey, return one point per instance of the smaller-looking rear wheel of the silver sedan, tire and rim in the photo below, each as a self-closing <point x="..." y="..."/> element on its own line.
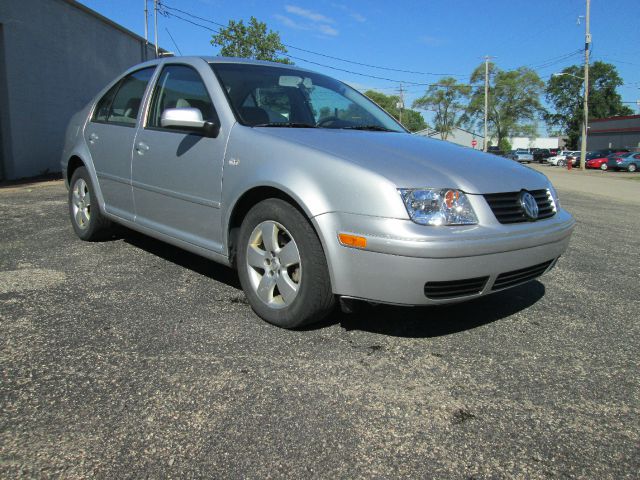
<point x="89" y="224"/>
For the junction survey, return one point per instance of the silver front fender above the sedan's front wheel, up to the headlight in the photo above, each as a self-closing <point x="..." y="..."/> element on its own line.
<point x="319" y="182"/>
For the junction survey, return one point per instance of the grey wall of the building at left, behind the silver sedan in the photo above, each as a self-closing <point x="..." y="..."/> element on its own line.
<point x="56" y="55"/>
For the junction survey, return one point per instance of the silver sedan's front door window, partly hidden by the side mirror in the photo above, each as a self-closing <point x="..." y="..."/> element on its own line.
<point x="180" y="86"/>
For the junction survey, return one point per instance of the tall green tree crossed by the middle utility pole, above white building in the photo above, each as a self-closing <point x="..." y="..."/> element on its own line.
<point x="514" y="102"/>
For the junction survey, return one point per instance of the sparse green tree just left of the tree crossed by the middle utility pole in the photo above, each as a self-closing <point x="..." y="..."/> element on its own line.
<point x="446" y="99"/>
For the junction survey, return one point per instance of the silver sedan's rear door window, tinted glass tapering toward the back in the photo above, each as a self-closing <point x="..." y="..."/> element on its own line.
<point x="121" y="104"/>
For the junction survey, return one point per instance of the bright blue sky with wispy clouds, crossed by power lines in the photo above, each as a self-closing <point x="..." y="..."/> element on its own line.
<point x="429" y="36"/>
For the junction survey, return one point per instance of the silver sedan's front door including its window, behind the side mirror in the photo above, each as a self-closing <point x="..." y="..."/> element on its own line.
<point x="177" y="175"/>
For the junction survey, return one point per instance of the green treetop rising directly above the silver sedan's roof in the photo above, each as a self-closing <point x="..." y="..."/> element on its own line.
<point x="250" y="41"/>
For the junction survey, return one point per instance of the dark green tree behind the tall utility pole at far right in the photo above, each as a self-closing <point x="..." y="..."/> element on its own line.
<point x="565" y="93"/>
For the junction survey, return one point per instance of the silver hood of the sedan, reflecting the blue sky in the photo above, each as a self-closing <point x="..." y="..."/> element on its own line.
<point x="411" y="161"/>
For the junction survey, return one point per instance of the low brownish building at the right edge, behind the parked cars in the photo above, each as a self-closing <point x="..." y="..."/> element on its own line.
<point x="614" y="132"/>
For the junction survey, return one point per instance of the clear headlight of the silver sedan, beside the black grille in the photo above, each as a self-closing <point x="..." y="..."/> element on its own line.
<point x="438" y="206"/>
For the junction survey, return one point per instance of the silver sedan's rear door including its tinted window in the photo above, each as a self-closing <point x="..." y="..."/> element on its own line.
<point x="110" y="135"/>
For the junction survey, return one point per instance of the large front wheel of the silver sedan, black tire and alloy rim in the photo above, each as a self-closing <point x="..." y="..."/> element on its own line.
<point x="313" y="299"/>
